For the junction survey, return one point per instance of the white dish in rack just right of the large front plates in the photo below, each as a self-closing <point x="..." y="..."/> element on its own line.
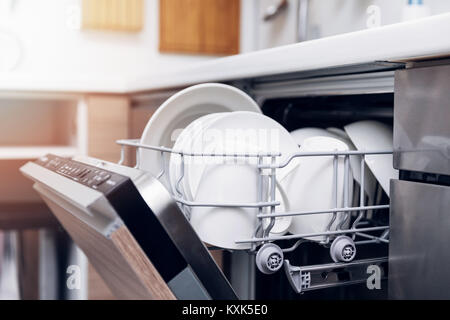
<point x="310" y="187"/>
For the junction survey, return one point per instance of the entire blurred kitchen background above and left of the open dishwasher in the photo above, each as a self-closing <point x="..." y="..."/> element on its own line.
<point x="62" y="62"/>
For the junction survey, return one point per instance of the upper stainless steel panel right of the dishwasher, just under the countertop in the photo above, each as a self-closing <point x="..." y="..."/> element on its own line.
<point x="422" y="120"/>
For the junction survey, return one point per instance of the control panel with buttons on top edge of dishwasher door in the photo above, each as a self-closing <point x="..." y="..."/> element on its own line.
<point x="90" y="176"/>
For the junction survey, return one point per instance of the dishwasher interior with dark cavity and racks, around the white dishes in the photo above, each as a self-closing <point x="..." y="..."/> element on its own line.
<point x="320" y="277"/>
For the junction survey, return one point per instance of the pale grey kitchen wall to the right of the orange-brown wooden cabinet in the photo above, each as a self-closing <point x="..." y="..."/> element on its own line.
<point x="325" y="18"/>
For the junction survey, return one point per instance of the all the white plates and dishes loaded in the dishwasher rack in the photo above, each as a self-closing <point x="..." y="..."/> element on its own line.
<point x="215" y="119"/>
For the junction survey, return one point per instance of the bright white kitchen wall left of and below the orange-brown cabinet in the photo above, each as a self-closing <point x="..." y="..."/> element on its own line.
<point x="42" y="39"/>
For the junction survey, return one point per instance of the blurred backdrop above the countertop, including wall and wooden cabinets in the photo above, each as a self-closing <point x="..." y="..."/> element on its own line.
<point x="111" y="38"/>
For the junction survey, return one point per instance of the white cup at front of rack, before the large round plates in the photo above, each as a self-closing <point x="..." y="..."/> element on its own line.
<point x="231" y="182"/>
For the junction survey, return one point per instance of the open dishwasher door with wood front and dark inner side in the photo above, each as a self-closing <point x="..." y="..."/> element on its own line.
<point x="129" y="227"/>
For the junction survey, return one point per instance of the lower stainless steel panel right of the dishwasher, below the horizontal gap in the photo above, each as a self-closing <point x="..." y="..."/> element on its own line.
<point x="419" y="259"/>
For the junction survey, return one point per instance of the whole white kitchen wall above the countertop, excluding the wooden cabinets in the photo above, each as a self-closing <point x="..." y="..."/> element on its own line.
<point x="41" y="39"/>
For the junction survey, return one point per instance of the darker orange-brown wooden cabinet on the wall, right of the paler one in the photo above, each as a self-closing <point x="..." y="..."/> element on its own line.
<point x="199" y="26"/>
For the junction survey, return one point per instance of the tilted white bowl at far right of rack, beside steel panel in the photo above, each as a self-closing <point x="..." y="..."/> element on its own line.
<point x="375" y="136"/>
